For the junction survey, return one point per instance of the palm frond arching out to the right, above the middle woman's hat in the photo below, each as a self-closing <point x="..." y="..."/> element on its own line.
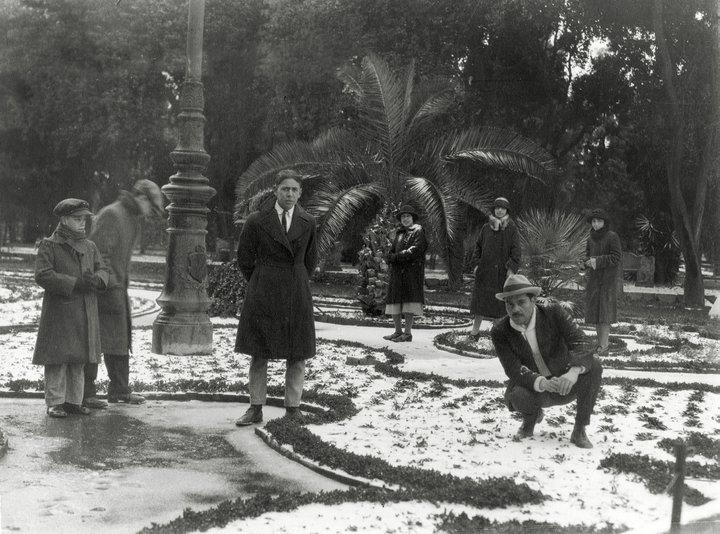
<point x="501" y="149"/>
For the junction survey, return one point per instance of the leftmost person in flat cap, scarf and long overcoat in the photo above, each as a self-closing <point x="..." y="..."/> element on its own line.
<point x="70" y="269"/>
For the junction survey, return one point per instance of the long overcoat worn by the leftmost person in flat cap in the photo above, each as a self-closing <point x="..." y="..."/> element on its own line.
<point x="69" y="331"/>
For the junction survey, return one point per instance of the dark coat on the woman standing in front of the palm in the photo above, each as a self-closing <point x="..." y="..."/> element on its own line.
<point x="407" y="266"/>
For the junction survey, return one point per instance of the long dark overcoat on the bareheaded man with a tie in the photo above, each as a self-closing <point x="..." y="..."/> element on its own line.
<point x="276" y="321"/>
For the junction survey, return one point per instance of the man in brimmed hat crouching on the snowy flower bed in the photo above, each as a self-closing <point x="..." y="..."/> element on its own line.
<point x="546" y="359"/>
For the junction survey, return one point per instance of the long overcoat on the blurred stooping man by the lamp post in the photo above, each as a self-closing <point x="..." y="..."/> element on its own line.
<point x="115" y="229"/>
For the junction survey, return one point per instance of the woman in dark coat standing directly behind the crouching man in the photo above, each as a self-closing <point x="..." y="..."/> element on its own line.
<point x="497" y="255"/>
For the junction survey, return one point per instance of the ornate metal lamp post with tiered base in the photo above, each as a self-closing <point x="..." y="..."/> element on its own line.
<point x="183" y="326"/>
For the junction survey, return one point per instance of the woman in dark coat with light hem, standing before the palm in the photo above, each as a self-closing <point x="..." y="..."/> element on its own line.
<point x="407" y="274"/>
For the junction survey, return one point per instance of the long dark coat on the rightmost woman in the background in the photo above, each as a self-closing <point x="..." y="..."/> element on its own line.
<point x="601" y="288"/>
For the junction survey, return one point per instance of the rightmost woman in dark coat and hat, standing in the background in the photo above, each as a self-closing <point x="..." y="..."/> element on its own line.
<point x="603" y="257"/>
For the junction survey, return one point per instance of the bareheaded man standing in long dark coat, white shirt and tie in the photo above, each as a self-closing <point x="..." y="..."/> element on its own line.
<point x="277" y="254"/>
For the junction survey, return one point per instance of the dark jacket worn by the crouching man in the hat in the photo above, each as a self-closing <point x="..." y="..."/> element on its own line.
<point x="562" y="345"/>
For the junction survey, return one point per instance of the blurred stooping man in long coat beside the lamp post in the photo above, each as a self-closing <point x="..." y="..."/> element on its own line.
<point x="115" y="231"/>
